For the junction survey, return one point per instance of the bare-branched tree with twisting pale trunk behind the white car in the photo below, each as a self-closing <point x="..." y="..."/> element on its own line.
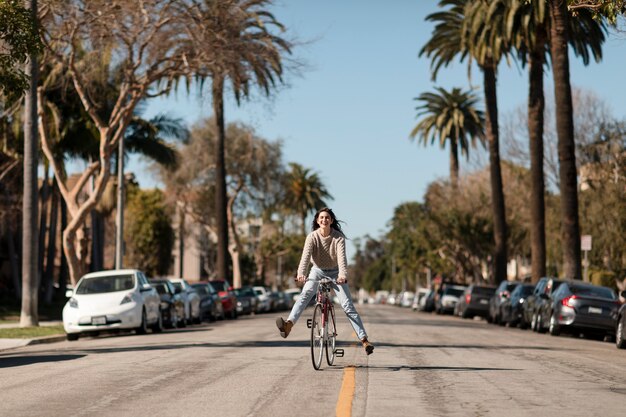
<point x="145" y="40"/>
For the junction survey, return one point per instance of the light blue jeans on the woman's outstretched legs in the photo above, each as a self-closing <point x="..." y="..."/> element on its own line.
<point x="343" y="293"/>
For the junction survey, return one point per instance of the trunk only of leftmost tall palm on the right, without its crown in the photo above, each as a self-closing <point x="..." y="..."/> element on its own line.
<point x="497" y="192"/>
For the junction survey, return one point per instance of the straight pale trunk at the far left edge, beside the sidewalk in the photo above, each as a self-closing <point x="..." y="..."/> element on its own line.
<point x="30" y="283"/>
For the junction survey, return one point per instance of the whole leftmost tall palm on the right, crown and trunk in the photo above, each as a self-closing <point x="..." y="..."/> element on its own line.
<point x="461" y="30"/>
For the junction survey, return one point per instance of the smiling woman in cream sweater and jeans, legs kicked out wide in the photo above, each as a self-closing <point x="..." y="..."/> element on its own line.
<point x="326" y="246"/>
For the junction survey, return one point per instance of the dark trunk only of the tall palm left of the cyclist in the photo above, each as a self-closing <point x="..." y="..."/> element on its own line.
<point x="220" y="178"/>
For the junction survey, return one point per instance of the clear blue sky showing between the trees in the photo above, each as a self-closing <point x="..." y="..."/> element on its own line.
<point x="349" y="115"/>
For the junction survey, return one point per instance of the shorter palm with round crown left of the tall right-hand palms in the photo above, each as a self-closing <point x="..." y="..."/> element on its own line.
<point x="450" y="116"/>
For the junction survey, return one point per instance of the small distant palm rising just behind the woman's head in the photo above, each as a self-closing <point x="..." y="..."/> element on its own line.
<point x="305" y="192"/>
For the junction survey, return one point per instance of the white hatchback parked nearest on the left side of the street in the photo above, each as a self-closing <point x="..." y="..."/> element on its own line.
<point x="112" y="300"/>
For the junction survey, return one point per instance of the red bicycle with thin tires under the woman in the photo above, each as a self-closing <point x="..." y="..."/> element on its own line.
<point x="323" y="327"/>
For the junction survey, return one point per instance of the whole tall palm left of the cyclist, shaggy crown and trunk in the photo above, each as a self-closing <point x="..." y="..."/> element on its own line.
<point x="232" y="40"/>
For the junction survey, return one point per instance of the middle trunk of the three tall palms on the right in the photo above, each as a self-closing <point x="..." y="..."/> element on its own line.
<point x="536" y="104"/>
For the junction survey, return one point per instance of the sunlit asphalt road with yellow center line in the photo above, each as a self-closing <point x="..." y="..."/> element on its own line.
<point x="424" y="365"/>
